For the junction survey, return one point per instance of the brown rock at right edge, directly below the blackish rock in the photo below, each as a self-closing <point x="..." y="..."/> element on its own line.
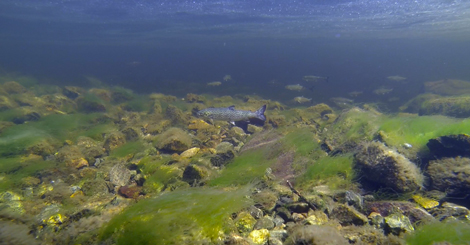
<point x="451" y="175"/>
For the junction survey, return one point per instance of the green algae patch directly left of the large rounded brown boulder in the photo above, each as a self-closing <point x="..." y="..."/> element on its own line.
<point x="335" y="172"/>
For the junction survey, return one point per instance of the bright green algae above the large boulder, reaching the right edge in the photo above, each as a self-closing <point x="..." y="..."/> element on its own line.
<point x="418" y="130"/>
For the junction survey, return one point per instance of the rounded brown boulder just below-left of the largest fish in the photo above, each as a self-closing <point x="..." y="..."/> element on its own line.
<point x="174" y="140"/>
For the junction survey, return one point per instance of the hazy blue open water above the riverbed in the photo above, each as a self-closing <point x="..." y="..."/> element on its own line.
<point x="178" y="46"/>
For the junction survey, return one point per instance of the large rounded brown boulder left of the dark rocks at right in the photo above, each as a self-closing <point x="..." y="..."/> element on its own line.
<point x="379" y="164"/>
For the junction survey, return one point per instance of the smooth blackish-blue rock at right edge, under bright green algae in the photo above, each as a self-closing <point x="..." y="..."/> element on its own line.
<point x="450" y="146"/>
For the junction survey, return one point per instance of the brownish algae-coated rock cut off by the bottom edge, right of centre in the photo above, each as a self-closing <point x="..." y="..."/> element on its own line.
<point x="315" y="235"/>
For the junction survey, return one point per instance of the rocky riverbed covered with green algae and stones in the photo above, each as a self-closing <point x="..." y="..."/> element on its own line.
<point x="72" y="159"/>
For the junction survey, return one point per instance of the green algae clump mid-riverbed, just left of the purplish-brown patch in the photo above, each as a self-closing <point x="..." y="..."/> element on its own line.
<point x="244" y="169"/>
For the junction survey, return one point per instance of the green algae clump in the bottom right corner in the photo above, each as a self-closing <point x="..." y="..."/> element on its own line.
<point x="454" y="232"/>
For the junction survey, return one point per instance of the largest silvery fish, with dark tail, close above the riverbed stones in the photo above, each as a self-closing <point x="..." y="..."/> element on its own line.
<point x="232" y="115"/>
